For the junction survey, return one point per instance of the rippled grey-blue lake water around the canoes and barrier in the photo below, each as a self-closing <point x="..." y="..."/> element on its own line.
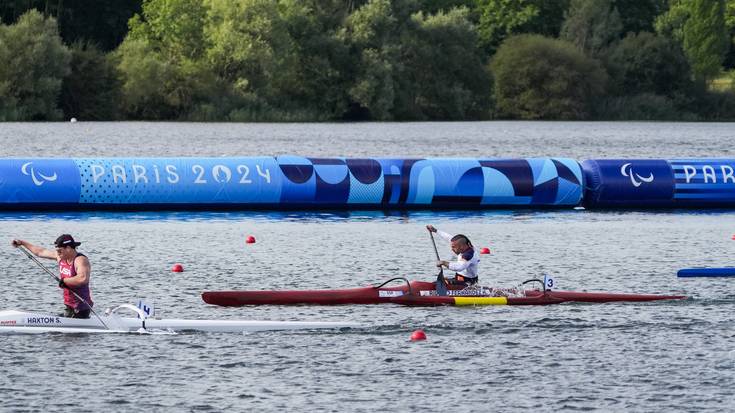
<point x="665" y="356"/>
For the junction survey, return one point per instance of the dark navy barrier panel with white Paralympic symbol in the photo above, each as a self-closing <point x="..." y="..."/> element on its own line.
<point x="628" y="183"/>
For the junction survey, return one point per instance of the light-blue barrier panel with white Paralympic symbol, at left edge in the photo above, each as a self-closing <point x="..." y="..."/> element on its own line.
<point x="38" y="182"/>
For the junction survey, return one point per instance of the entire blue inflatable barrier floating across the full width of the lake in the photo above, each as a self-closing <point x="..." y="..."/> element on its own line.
<point x="293" y="182"/>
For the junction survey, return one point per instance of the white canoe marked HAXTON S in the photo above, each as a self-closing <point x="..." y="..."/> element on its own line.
<point x="12" y="321"/>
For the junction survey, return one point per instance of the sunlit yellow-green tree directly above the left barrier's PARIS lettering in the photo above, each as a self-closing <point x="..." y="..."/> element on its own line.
<point x="162" y="61"/>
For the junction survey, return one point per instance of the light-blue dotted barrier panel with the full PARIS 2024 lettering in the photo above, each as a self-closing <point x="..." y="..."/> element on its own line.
<point x="176" y="181"/>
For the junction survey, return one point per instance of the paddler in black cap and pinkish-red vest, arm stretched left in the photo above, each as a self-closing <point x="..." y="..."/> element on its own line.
<point x="74" y="272"/>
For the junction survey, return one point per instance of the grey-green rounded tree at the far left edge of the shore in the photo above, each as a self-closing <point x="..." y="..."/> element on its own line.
<point x="34" y="63"/>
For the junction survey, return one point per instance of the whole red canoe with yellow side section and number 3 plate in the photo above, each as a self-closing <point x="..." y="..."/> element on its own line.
<point x="418" y="293"/>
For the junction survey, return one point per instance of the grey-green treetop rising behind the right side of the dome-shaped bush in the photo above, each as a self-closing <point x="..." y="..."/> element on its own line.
<point x="592" y="25"/>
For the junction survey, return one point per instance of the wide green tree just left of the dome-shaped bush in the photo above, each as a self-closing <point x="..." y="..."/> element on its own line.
<point x="415" y="66"/>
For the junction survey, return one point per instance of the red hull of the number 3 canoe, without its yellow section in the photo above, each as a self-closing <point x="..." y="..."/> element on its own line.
<point x="400" y="295"/>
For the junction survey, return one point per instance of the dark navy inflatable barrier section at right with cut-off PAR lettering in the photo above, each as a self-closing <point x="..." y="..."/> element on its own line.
<point x="633" y="183"/>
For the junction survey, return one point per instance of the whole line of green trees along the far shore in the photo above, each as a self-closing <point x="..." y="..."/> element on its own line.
<point x="383" y="60"/>
